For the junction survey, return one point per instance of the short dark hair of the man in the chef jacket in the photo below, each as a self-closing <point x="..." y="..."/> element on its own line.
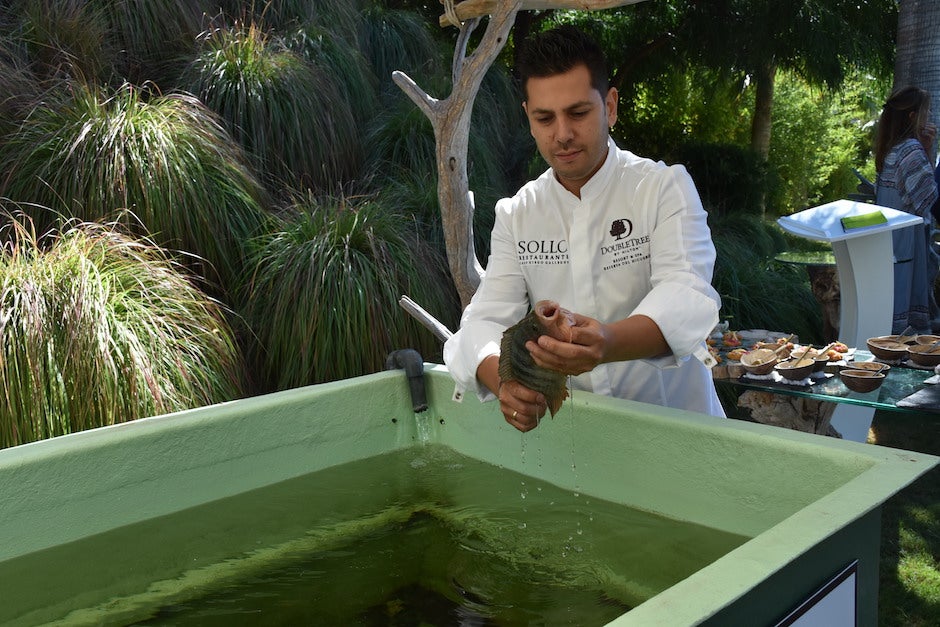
<point x="559" y="50"/>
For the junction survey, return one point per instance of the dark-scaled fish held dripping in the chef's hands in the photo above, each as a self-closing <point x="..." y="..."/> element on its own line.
<point x="515" y="361"/>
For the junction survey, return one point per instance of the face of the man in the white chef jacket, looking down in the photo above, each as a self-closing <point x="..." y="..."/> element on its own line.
<point x="569" y="120"/>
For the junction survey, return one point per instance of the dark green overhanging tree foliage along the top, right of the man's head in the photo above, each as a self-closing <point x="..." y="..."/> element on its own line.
<point x="819" y="40"/>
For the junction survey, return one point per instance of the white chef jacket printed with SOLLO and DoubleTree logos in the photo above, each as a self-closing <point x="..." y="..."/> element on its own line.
<point x="636" y="242"/>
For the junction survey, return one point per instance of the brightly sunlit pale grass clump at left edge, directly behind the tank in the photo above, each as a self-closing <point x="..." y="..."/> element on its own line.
<point x="97" y="328"/>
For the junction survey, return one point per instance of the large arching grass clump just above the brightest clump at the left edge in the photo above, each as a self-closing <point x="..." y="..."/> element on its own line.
<point x="164" y="159"/>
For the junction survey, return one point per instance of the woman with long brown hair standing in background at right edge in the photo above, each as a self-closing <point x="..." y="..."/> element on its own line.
<point x="905" y="182"/>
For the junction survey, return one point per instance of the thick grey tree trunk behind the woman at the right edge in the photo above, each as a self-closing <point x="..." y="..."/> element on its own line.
<point x="917" y="61"/>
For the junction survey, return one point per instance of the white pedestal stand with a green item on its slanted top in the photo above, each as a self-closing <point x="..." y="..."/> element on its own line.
<point x="865" y="265"/>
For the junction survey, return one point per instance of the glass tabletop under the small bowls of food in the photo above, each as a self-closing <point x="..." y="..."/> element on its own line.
<point x="900" y="383"/>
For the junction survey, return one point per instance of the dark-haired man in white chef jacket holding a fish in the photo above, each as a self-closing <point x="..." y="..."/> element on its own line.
<point x="620" y="240"/>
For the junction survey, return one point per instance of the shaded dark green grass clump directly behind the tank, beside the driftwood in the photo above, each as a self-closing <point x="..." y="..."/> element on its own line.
<point x="323" y="301"/>
